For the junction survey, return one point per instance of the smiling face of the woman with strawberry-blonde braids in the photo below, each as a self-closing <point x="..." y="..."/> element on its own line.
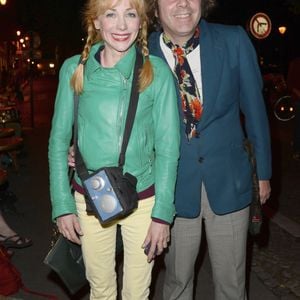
<point x="119" y="27"/>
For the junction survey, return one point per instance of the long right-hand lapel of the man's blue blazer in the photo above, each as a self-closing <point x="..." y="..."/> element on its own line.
<point x="211" y="55"/>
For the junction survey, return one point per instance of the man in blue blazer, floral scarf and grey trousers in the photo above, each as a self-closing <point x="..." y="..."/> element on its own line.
<point x="218" y="78"/>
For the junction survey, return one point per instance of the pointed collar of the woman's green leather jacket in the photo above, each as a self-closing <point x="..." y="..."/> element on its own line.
<point x="124" y="65"/>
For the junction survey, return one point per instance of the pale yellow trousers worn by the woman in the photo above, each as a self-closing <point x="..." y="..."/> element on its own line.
<point x="98" y="247"/>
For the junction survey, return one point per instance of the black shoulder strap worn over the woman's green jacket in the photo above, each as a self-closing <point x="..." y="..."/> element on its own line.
<point x="134" y="96"/>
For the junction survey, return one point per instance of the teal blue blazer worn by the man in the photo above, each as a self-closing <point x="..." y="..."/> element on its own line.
<point x="232" y="84"/>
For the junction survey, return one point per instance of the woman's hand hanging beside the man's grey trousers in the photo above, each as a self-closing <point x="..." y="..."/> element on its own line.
<point x="157" y="239"/>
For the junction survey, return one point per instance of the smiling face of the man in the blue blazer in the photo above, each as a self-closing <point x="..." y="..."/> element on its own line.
<point x="179" y="18"/>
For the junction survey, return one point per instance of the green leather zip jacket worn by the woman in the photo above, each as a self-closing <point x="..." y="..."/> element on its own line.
<point x="153" y="149"/>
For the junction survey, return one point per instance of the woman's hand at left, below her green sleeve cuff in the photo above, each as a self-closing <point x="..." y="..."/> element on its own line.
<point x="68" y="226"/>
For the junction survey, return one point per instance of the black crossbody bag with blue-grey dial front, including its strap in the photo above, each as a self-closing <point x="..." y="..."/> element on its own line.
<point x="108" y="192"/>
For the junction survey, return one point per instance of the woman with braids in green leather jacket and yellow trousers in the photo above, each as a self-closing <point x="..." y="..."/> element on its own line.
<point x="103" y="81"/>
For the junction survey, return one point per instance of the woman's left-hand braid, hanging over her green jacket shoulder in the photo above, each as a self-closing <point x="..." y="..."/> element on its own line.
<point x="77" y="78"/>
